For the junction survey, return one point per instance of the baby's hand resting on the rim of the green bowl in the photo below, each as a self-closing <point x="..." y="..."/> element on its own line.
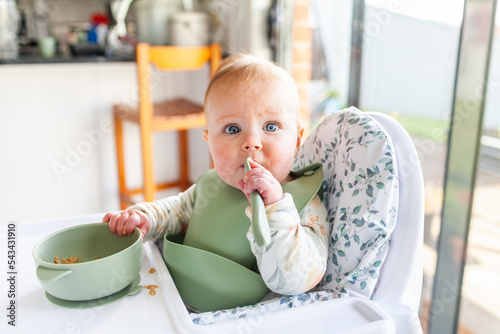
<point x="123" y="223"/>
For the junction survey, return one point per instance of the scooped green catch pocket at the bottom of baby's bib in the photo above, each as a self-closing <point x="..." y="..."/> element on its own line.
<point x="209" y="282"/>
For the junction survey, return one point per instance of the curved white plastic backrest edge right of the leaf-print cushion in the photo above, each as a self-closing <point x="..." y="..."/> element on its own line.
<point x="401" y="274"/>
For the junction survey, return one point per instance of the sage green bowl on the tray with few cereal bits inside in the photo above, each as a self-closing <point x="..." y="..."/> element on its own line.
<point x="109" y="262"/>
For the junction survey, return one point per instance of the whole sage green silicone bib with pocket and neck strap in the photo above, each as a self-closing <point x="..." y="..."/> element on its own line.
<point x="213" y="266"/>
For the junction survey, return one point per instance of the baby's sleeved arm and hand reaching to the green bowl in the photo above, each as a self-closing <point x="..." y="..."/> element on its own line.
<point x="154" y="219"/>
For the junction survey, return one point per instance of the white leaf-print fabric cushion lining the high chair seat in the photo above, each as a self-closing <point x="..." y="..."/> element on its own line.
<point x="361" y="198"/>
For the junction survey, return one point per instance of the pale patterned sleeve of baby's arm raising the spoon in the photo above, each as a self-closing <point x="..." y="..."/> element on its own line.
<point x="295" y="261"/>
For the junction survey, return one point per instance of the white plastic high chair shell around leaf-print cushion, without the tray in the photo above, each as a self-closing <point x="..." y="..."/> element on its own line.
<point x="393" y="306"/>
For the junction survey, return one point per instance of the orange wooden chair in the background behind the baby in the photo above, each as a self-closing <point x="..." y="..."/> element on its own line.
<point x="177" y="114"/>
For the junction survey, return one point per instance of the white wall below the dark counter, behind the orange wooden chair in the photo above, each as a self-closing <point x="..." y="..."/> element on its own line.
<point x="57" y="151"/>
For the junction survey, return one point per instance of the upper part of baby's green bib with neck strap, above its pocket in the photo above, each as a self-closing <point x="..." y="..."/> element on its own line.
<point x="219" y="224"/>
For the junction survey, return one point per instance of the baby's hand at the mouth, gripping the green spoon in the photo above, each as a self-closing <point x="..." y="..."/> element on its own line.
<point x="260" y="179"/>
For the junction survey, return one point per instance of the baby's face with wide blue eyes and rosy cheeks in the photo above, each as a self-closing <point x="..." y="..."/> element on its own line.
<point x="256" y="120"/>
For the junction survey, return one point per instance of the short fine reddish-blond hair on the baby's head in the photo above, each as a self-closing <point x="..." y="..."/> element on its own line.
<point x="244" y="68"/>
